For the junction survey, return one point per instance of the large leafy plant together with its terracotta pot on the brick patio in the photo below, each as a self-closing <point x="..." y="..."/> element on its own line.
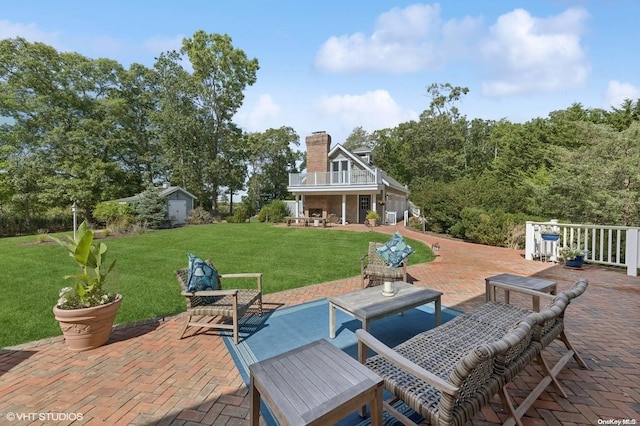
<point x="86" y="311"/>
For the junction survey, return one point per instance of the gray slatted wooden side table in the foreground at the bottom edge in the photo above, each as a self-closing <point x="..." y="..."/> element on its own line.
<point x="316" y="384"/>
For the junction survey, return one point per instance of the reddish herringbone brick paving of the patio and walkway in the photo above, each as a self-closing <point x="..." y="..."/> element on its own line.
<point x="145" y="376"/>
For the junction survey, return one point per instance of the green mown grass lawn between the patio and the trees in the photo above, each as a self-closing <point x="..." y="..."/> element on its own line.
<point x="288" y="258"/>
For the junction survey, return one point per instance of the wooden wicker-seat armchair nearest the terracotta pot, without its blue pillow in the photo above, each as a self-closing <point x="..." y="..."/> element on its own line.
<point x="232" y="303"/>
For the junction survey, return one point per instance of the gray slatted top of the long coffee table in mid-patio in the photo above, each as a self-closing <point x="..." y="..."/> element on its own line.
<point x="370" y="303"/>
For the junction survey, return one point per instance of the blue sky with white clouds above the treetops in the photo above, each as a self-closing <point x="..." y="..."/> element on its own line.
<point x="339" y="64"/>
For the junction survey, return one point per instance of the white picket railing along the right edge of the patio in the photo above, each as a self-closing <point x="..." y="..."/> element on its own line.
<point x="605" y="245"/>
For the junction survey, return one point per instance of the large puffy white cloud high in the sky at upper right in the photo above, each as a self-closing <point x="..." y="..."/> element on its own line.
<point x="535" y="55"/>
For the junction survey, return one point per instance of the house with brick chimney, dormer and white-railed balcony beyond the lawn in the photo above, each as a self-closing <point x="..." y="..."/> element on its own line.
<point x="345" y="184"/>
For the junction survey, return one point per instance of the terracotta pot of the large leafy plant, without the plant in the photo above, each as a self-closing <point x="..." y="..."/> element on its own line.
<point x="87" y="328"/>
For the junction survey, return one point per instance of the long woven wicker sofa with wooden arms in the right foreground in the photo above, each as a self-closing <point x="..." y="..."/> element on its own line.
<point x="447" y="374"/>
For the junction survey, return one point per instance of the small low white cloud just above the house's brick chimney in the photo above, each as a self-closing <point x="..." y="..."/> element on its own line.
<point x="372" y="110"/>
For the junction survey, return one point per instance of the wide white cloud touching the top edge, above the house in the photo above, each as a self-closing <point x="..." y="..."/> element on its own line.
<point x="405" y="40"/>
